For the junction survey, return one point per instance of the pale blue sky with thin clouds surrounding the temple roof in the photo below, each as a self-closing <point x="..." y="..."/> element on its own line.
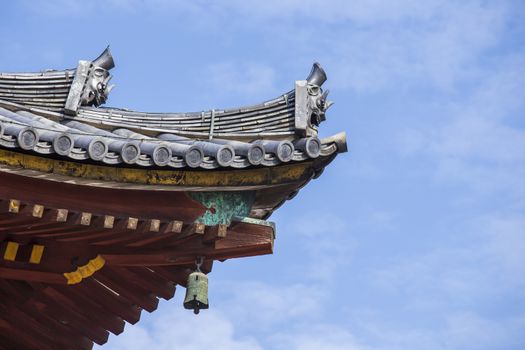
<point x="415" y="239"/>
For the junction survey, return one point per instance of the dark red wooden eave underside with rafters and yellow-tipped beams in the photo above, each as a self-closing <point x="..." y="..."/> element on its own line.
<point x="96" y="271"/>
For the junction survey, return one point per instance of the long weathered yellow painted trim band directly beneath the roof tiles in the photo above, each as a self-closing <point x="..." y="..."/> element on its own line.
<point x="275" y="175"/>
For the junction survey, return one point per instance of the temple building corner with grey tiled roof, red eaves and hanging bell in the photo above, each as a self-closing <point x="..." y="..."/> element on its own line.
<point x="105" y="210"/>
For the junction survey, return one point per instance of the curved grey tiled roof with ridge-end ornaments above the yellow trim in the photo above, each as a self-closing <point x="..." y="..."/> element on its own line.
<point x="53" y="113"/>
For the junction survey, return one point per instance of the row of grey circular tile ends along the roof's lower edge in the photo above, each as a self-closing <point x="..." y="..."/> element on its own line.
<point x="80" y="141"/>
